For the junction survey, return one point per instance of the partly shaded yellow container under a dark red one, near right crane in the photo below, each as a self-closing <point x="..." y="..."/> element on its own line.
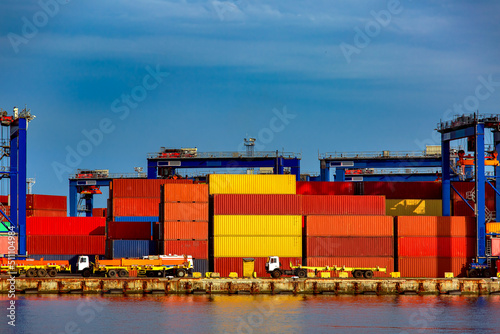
<point x="414" y="207"/>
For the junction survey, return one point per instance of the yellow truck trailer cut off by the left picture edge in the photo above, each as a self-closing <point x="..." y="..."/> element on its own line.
<point x="33" y="268"/>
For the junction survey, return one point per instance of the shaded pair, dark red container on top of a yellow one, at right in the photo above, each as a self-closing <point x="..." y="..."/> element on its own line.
<point x="408" y="198"/>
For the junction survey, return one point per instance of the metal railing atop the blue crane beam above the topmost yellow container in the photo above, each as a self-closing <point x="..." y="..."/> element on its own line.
<point x="215" y="155"/>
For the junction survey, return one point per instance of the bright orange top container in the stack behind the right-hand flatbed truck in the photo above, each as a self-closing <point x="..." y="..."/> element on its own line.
<point x="354" y="226"/>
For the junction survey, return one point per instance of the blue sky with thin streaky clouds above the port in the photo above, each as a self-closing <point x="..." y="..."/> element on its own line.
<point x="231" y="66"/>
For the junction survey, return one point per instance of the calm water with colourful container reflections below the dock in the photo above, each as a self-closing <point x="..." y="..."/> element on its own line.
<point x="253" y="314"/>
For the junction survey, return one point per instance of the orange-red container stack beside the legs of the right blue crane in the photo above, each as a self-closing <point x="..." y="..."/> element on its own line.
<point x="431" y="246"/>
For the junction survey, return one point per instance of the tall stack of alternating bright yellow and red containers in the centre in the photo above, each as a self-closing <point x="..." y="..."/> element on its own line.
<point x="255" y="216"/>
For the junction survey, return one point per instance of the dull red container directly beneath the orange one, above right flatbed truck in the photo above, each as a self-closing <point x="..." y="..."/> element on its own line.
<point x="353" y="246"/>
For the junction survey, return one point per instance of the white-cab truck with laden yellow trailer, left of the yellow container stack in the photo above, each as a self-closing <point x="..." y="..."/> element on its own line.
<point x="176" y="265"/>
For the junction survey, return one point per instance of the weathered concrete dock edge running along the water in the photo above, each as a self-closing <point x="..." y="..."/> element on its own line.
<point x="251" y="286"/>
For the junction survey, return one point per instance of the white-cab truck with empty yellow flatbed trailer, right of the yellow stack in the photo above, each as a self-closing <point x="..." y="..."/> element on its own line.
<point x="273" y="267"/>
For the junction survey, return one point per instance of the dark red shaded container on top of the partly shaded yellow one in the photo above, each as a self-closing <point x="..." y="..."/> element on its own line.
<point x="398" y="190"/>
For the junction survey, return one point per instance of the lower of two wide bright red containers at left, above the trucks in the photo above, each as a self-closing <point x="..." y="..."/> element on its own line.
<point x="66" y="244"/>
